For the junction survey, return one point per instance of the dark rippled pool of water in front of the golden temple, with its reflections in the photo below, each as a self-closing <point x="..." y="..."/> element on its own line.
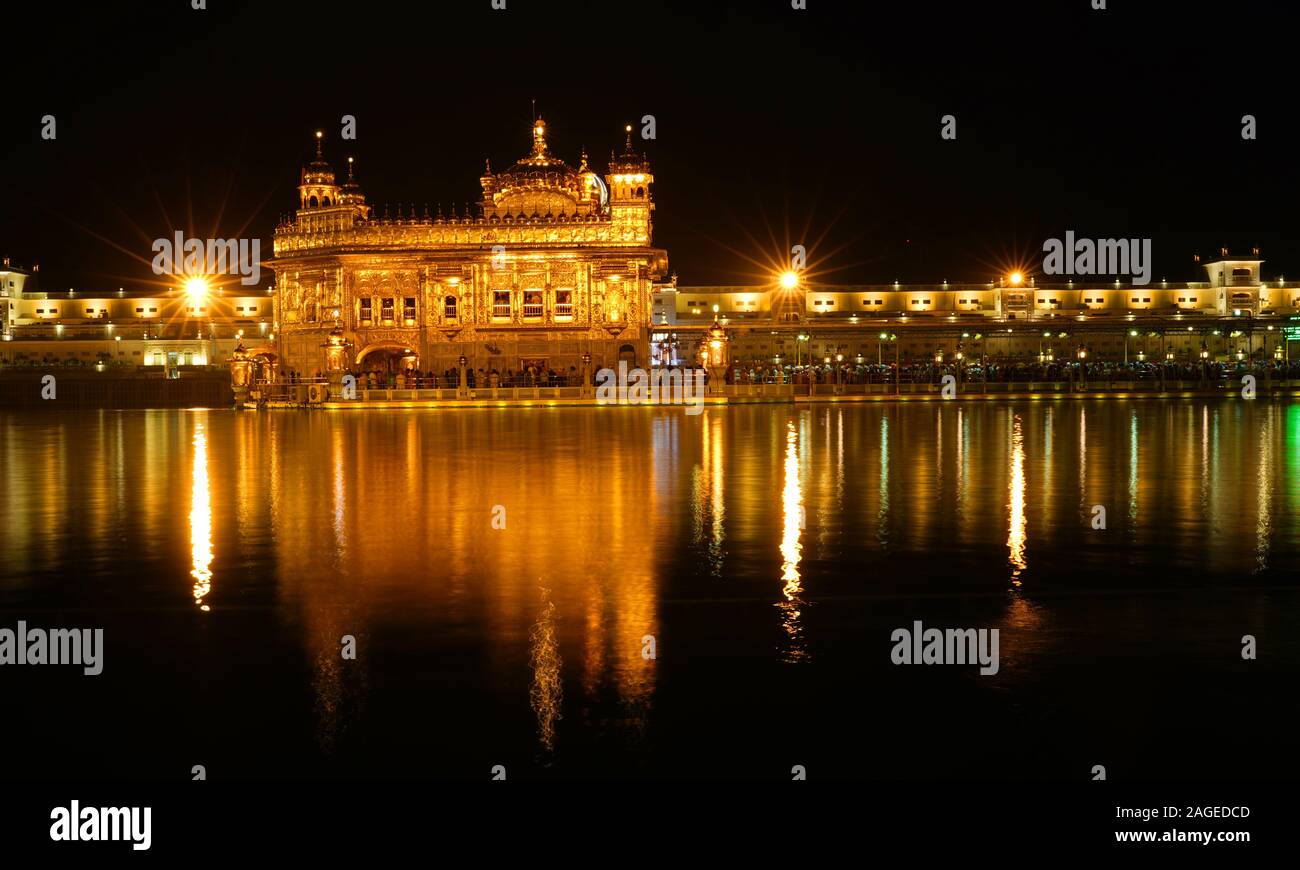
<point x="765" y="552"/>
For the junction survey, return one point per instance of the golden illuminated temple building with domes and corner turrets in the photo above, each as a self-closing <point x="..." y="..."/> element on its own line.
<point x="552" y="263"/>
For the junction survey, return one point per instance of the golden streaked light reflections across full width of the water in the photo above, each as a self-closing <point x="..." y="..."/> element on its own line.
<point x="636" y="523"/>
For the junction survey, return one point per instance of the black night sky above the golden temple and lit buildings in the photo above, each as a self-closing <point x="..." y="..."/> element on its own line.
<point x="774" y="127"/>
